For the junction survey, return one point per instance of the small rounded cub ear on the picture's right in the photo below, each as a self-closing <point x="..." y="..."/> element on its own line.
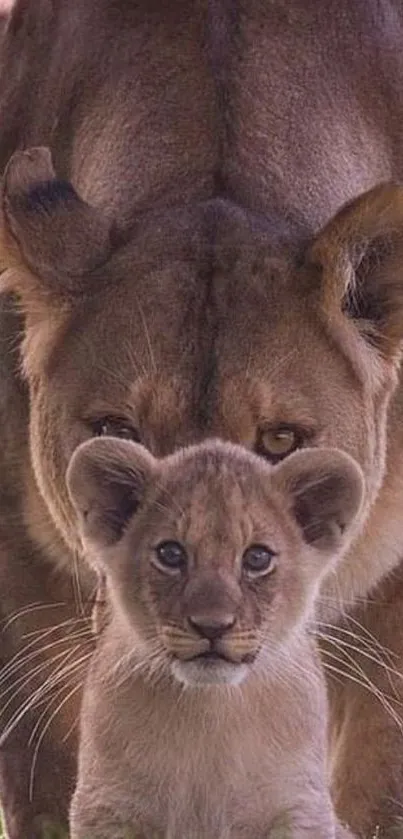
<point x="325" y="488"/>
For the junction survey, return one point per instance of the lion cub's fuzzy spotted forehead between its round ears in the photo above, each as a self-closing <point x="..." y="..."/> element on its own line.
<point x="216" y="499"/>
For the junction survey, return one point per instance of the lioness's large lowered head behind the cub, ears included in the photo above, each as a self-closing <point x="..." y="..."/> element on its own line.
<point x="204" y="322"/>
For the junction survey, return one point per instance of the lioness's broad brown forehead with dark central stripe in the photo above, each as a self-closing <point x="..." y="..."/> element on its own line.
<point x="203" y="335"/>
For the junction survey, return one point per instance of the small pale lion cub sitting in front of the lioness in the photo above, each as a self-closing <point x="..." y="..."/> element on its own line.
<point x="204" y="712"/>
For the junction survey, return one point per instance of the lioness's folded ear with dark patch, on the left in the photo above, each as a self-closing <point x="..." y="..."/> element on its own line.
<point x="48" y="230"/>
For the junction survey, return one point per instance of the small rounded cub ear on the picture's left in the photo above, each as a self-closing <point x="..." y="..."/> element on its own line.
<point x="107" y="480"/>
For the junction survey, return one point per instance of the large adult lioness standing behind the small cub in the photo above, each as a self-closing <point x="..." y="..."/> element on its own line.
<point x="184" y="270"/>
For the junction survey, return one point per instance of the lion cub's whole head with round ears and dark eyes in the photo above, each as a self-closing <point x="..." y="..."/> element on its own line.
<point x="212" y="556"/>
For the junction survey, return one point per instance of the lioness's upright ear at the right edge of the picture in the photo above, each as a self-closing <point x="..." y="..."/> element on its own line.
<point x="360" y="255"/>
